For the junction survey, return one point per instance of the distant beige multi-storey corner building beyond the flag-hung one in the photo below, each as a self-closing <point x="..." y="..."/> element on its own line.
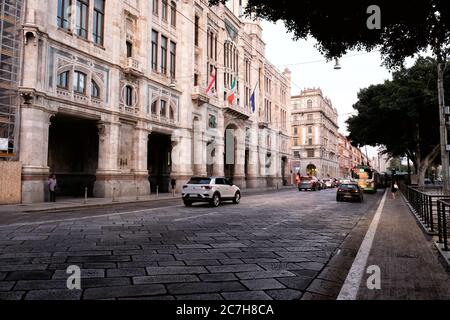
<point x="314" y="134"/>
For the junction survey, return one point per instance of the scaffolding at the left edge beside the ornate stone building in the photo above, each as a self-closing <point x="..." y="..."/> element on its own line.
<point x="10" y="62"/>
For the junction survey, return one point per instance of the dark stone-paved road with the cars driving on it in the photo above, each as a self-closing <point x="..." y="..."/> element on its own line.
<point x="285" y="245"/>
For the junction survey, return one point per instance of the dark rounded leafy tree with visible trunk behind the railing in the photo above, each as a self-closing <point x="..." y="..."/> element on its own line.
<point x="402" y="116"/>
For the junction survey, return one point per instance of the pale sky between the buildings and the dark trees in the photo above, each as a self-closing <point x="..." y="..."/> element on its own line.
<point x="309" y="69"/>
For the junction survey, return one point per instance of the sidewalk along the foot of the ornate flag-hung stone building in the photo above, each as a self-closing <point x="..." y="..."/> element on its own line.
<point x="79" y="203"/>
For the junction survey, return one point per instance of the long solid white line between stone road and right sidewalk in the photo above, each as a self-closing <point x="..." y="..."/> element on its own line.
<point x="349" y="290"/>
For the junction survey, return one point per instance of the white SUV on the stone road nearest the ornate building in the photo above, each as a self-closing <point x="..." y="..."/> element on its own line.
<point x="213" y="190"/>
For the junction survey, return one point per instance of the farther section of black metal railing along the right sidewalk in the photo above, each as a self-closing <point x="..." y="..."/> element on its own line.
<point x="425" y="203"/>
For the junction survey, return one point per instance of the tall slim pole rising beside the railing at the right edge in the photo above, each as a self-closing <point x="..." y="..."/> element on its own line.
<point x="443" y="127"/>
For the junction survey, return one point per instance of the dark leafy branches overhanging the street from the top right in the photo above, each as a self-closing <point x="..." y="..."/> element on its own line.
<point x="407" y="28"/>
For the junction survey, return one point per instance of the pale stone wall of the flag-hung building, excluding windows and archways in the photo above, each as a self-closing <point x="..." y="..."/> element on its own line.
<point x="49" y="50"/>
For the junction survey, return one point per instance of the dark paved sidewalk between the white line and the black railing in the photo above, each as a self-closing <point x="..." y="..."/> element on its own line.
<point x="411" y="266"/>
